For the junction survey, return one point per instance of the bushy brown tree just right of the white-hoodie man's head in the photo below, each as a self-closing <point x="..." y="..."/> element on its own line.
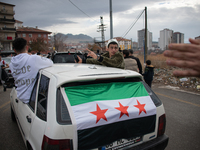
<point x="38" y="45"/>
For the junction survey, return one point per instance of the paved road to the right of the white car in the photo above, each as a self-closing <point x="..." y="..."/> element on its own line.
<point x="183" y="118"/>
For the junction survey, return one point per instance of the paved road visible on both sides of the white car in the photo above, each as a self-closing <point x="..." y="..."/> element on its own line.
<point x="182" y="112"/>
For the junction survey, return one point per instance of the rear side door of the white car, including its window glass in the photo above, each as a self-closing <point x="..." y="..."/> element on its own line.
<point x="40" y="121"/>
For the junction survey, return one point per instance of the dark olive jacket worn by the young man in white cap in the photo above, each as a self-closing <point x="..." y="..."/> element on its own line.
<point x="116" y="60"/>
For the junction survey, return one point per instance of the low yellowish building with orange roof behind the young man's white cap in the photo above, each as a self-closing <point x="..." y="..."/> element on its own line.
<point x="123" y="43"/>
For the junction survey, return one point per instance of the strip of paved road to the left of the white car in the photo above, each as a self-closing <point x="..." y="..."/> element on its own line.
<point x="10" y="136"/>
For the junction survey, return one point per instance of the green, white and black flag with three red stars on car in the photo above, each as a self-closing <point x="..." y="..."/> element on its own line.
<point x="108" y="112"/>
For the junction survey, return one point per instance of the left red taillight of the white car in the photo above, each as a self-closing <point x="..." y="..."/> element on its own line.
<point x="48" y="143"/>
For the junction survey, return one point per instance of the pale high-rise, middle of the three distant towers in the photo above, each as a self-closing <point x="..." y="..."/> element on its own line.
<point x="165" y="38"/>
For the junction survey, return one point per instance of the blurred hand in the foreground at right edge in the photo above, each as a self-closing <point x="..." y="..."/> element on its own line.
<point x="186" y="56"/>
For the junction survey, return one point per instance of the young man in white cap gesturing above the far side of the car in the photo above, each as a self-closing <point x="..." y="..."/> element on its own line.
<point x="112" y="58"/>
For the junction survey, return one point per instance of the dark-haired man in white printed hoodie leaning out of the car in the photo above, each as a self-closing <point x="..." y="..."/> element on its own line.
<point x="24" y="68"/>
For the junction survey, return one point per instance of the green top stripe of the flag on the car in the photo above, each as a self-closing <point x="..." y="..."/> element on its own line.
<point x="104" y="91"/>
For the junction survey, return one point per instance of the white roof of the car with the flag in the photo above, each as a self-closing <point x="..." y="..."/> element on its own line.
<point x="78" y="72"/>
